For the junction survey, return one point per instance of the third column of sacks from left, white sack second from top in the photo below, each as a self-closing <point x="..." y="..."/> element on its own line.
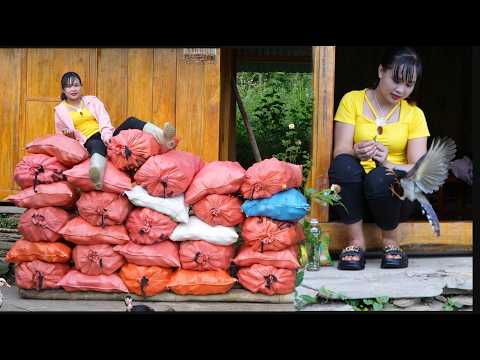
<point x="159" y="196"/>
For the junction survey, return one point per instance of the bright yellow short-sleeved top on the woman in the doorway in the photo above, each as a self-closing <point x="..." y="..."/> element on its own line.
<point x="410" y="125"/>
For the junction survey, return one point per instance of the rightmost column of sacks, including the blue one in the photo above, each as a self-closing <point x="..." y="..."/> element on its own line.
<point x="271" y="232"/>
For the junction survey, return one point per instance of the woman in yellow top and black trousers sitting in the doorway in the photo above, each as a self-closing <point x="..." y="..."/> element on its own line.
<point x="376" y="129"/>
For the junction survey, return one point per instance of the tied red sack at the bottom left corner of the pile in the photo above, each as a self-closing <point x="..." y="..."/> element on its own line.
<point x="39" y="275"/>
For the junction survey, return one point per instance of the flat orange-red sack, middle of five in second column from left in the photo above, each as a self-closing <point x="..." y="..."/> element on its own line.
<point x="80" y="232"/>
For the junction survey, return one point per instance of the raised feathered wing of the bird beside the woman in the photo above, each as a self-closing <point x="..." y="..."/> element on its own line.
<point x="431" y="170"/>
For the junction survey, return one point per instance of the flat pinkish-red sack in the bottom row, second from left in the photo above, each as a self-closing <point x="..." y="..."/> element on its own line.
<point x="74" y="280"/>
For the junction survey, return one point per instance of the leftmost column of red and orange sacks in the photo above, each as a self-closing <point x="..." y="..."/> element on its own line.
<point x="42" y="258"/>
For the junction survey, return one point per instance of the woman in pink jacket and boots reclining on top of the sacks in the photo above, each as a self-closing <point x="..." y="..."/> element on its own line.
<point x="85" y="119"/>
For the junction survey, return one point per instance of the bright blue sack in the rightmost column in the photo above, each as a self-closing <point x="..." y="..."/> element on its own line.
<point x="289" y="205"/>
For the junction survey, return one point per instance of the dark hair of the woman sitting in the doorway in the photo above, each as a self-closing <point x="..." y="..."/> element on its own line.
<point x="404" y="62"/>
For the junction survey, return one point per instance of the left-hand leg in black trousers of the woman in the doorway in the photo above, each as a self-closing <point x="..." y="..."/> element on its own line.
<point x="347" y="172"/>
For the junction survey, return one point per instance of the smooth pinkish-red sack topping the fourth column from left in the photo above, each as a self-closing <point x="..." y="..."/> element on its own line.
<point x="217" y="177"/>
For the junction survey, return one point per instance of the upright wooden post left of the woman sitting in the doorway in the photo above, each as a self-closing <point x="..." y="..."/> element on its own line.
<point x="322" y="127"/>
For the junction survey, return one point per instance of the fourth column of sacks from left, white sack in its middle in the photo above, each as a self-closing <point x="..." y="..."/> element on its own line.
<point x="206" y="248"/>
